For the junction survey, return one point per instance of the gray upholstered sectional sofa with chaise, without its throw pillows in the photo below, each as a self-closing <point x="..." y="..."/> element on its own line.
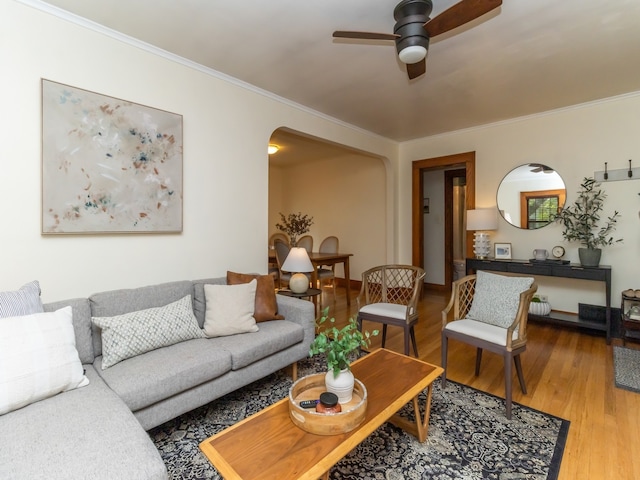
<point x="99" y="431"/>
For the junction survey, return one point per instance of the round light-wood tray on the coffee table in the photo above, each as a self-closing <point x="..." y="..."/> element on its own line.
<point x="310" y="388"/>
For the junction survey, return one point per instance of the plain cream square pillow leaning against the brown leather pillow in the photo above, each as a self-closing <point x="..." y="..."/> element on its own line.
<point x="229" y="309"/>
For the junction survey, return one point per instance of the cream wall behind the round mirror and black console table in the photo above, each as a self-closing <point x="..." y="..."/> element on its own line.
<point x="576" y="142"/>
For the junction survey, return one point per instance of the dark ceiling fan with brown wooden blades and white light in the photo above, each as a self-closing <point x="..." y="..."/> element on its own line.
<point x="413" y="28"/>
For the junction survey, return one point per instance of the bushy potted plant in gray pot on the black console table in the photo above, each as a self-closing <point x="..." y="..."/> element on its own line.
<point x="581" y="223"/>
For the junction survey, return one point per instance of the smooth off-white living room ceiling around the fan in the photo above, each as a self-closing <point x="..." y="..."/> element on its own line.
<point x="528" y="56"/>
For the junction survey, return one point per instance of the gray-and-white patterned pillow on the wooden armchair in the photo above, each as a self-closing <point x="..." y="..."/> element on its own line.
<point x="497" y="298"/>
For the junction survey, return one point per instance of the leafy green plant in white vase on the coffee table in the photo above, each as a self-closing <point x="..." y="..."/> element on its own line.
<point x="339" y="347"/>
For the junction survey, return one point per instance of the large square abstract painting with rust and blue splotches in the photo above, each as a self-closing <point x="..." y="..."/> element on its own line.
<point x="108" y="165"/>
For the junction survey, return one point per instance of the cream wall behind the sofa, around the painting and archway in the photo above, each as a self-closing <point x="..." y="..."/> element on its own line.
<point x="226" y="130"/>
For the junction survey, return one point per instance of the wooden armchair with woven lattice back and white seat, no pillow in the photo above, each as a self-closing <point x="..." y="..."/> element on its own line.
<point x="390" y="295"/>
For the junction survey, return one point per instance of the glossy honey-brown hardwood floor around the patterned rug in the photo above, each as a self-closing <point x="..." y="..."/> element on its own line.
<point x="568" y="373"/>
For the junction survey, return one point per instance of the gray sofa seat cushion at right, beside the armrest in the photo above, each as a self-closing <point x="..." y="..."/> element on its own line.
<point x="273" y="337"/>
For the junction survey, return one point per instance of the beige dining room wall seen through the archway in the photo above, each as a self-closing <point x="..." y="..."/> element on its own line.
<point x="346" y="196"/>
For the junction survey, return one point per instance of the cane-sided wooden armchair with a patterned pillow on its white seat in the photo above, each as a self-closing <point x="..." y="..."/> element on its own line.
<point x="489" y="311"/>
